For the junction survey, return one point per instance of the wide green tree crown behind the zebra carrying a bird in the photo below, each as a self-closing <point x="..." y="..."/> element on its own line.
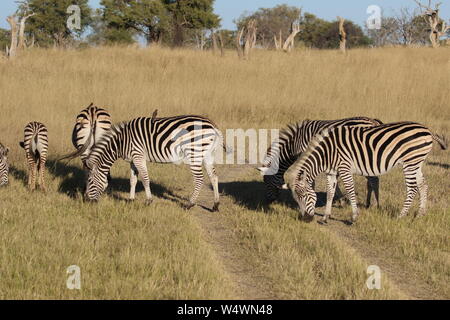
<point x="156" y="20"/>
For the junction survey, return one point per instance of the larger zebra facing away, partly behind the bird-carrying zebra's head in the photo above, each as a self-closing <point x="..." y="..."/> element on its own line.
<point x="91" y="124"/>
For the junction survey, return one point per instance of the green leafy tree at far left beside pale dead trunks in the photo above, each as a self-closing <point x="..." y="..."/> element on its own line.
<point x="49" y="24"/>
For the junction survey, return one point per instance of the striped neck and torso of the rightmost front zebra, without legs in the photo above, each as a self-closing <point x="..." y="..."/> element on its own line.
<point x="370" y="151"/>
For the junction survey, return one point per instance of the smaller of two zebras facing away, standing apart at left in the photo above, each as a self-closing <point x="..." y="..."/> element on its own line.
<point x="35" y="144"/>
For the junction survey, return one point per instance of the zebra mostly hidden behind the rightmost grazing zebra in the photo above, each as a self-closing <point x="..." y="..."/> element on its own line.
<point x="293" y="141"/>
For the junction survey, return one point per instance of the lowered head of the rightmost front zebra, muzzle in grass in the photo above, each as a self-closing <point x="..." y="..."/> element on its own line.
<point x="305" y="196"/>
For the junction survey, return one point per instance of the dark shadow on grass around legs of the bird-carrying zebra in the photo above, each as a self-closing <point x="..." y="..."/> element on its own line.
<point x="74" y="179"/>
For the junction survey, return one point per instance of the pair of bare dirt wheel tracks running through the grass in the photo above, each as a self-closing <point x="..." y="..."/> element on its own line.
<point x="249" y="285"/>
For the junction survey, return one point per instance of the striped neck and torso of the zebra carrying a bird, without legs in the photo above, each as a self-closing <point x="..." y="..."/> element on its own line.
<point x="162" y="140"/>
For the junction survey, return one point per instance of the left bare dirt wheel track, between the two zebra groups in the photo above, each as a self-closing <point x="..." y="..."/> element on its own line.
<point x="217" y="231"/>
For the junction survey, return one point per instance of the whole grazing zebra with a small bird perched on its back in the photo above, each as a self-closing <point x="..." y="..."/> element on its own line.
<point x="162" y="140"/>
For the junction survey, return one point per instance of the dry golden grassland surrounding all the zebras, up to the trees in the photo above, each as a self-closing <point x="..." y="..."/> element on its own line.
<point x="248" y="250"/>
